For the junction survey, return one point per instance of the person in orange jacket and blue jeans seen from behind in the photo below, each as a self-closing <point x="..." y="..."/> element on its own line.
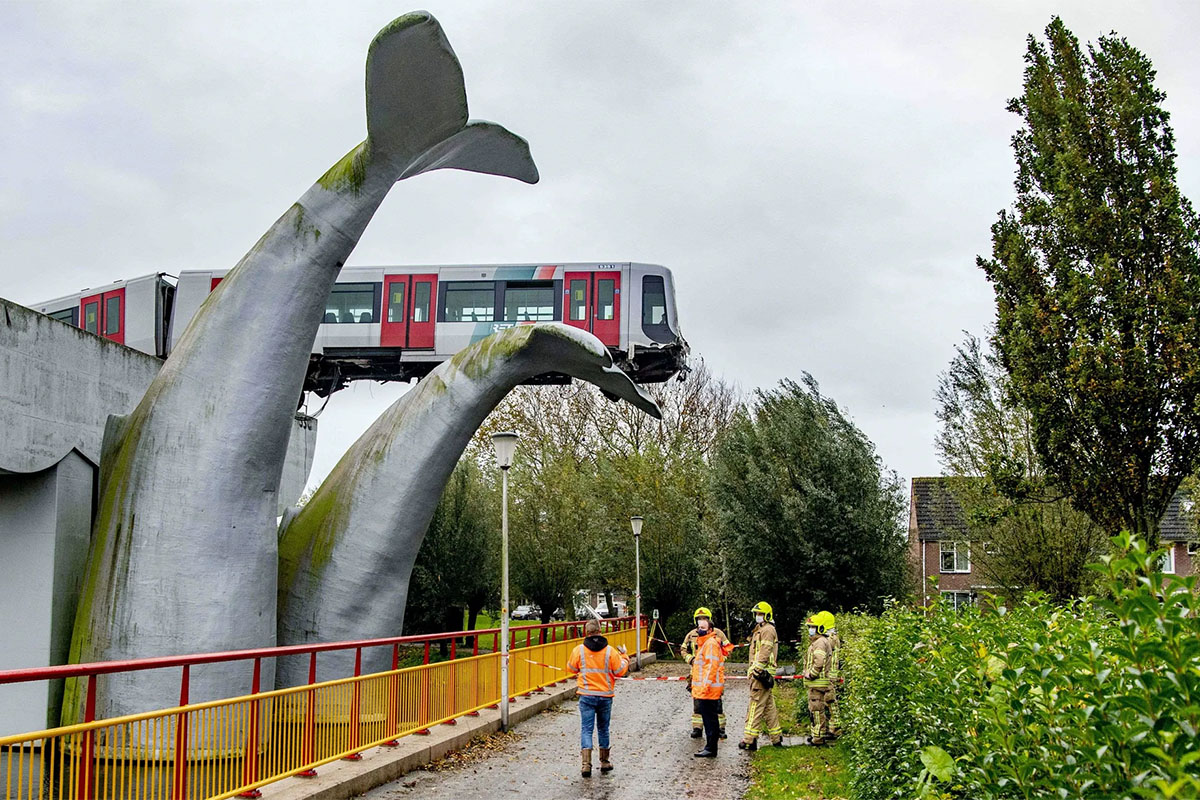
<point x="597" y="667"/>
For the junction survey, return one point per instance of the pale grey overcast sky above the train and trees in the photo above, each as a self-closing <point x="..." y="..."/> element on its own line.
<point x="819" y="176"/>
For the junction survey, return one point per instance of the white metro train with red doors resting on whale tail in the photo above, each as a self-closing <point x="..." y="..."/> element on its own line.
<point x="398" y="323"/>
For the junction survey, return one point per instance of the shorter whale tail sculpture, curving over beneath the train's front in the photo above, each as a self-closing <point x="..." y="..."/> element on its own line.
<point x="347" y="556"/>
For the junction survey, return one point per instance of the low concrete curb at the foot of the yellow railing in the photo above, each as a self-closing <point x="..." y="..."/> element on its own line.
<point x="343" y="780"/>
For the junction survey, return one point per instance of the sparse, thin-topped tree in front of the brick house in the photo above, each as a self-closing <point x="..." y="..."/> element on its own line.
<point x="1024" y="533"/>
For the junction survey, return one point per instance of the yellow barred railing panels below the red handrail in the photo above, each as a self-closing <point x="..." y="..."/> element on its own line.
<point x="237" y="745"/>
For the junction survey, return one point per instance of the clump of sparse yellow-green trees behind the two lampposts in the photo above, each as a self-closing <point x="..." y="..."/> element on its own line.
<point x="585" y="466"/>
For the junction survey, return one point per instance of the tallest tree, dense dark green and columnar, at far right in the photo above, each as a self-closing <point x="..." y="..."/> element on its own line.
<point x="1097" y="279"/>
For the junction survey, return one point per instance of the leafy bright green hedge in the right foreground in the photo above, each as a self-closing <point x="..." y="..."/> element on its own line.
<point x="1099" y="700"/>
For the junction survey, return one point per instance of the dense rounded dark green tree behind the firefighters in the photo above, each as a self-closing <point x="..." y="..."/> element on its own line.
<point x="809" y="518"/>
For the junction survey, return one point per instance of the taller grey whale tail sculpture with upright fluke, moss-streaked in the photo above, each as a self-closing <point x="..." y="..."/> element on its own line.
<point x="184" y="555"/>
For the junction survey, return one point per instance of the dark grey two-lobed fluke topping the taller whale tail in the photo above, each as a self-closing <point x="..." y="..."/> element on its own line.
<point x="417" y="109"/>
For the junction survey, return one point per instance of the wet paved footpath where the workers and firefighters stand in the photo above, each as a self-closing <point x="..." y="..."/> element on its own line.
<point x="651" y="751"/>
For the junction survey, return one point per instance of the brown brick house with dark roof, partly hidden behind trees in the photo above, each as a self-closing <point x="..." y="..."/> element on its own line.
<point x="939" y="546"/>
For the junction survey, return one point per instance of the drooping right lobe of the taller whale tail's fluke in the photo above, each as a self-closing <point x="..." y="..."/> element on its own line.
<point x="481" y="148"/>
